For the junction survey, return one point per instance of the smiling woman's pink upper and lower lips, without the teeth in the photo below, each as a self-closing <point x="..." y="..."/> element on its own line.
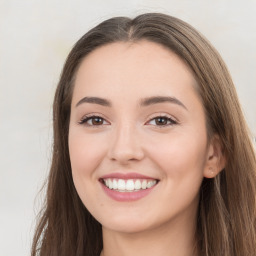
<point x="126" y="196"/>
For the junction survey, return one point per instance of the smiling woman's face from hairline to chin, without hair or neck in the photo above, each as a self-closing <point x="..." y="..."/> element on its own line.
<point x="137" y="137"/>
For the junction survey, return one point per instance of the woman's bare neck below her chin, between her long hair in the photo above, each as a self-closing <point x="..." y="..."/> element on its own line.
<point x="170" y="239"/>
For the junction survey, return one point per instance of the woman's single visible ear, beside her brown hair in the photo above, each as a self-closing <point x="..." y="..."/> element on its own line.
<point x="215" y="158"/>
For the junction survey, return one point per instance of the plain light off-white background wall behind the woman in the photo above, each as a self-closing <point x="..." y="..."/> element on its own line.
<point x="35" y="38"/>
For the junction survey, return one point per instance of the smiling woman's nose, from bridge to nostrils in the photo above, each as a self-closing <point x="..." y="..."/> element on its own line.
<point x="125" y="145"/>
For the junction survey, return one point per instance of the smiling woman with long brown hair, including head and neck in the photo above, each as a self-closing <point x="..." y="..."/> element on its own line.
<point x="151" y="153"/>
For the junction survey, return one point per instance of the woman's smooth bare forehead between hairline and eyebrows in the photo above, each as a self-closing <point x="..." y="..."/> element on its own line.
<point x="129" y="69"/>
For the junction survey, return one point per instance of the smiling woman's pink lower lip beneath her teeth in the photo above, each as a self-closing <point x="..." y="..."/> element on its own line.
<point x="126" y="196"/>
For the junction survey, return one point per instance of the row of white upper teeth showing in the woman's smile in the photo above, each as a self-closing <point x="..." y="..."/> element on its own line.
<point x="129" y="185"/>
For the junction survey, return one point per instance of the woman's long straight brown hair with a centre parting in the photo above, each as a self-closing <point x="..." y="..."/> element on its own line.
<point x="226" y="223"/>
